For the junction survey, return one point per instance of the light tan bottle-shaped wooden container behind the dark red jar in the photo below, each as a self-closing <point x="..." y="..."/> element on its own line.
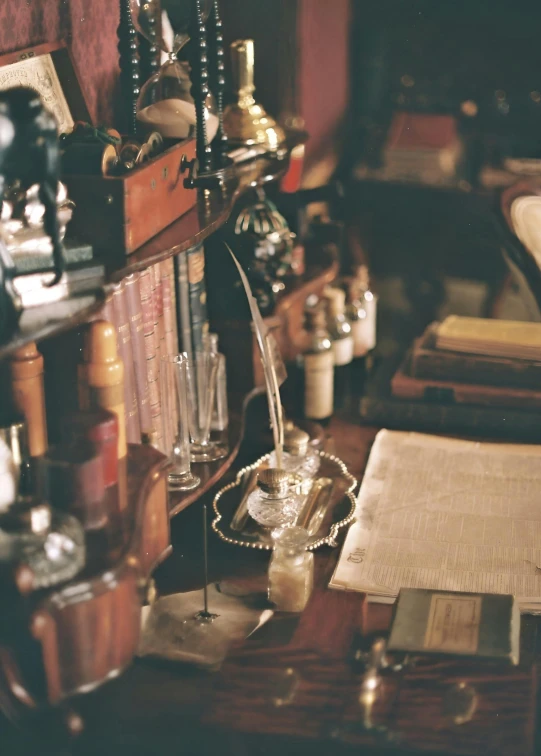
<point x="101" y="377"/>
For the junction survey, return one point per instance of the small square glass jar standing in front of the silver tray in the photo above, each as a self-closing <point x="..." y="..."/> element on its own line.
<point x="291" y="570"/>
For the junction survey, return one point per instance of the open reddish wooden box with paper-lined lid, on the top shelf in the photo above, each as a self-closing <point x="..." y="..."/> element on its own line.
<point x="116" y="214"/>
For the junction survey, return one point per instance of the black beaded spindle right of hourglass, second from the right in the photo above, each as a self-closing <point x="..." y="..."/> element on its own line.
<point x="200" y="88"/>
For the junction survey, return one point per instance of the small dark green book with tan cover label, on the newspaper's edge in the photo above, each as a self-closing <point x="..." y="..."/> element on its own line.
<point x="461" y="624"/>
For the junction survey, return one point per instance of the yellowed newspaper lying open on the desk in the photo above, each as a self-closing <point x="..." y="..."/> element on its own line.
<point x="446" y="514"/>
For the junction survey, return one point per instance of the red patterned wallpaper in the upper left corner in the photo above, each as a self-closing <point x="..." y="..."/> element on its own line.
<point x="89" y="27"/>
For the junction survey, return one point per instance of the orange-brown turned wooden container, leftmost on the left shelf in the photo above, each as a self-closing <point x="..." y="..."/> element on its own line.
<point x="26" y="368"/>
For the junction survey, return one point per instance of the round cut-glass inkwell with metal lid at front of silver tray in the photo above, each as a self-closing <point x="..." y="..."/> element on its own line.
<point x="273" y="504"/>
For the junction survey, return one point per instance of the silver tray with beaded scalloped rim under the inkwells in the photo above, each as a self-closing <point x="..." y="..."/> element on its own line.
<point x="333" y="512"/>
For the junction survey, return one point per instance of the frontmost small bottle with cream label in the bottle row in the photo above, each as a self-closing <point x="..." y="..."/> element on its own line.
<point x="318" y="364"/>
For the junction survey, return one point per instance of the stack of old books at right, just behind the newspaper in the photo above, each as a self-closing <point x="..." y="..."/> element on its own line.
<point x="466" y="375"/>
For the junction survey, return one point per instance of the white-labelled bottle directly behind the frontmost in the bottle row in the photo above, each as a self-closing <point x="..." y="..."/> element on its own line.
<point x="342" y="342"/>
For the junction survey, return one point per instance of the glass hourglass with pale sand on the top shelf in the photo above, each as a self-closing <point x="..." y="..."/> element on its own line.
<point x="165" y="103"/>
